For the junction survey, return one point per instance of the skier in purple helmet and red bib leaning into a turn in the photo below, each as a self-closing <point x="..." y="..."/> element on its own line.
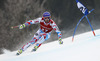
<point x="46" y="27"/>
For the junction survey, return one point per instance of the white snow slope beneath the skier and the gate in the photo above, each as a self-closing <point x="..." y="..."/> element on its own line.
<point x="86" y="47"/>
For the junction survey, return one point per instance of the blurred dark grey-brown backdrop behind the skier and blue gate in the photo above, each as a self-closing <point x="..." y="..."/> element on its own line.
<point x="64" y="12"/>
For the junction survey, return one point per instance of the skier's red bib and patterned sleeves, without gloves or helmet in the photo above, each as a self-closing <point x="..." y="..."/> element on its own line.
<point x="45" y="27"/>
